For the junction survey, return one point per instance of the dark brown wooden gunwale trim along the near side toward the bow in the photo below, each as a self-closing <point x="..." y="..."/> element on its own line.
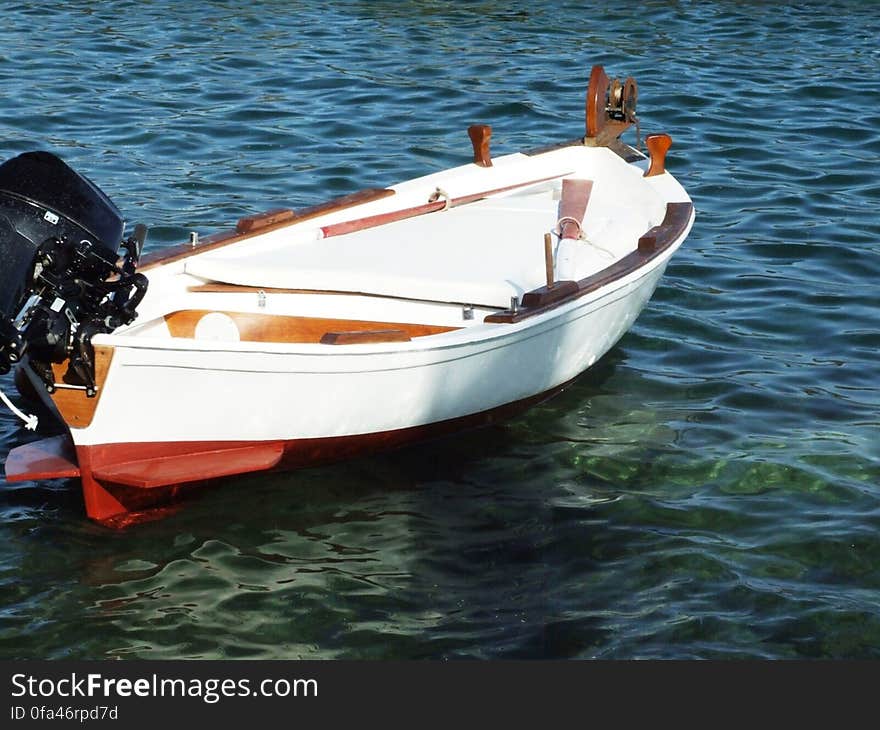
<point x="650" y="245"/>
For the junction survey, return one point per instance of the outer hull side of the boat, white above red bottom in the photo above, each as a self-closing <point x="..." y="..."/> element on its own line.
<point x="306" y="408"/>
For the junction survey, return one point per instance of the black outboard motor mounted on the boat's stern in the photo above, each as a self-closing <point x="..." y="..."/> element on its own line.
<point x="62" y="278"/>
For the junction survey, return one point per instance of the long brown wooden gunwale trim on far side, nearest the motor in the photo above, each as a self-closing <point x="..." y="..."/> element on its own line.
<point x="224" y="238"/>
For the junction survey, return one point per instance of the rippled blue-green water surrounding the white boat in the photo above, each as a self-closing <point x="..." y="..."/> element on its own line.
<point x="710" y="489"/>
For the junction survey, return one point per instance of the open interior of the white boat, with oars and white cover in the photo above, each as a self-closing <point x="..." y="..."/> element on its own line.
<point x="457" y="262"/>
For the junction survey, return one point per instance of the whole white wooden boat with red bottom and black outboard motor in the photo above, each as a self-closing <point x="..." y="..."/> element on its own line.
<point x="377" y="319"/>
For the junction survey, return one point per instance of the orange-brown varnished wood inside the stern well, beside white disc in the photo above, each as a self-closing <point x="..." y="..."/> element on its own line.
<point x="287" y="329"/>
